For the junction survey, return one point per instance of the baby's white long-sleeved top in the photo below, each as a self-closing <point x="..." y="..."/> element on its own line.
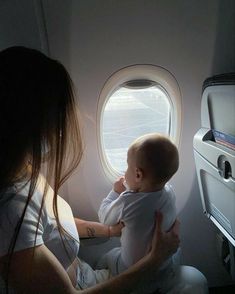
<point x="137" y="211"/>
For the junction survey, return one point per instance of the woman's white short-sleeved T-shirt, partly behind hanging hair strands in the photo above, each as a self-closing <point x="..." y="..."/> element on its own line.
<point x="12" y="204"/>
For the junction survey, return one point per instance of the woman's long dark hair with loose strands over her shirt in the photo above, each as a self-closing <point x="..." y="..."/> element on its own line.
<point x="37" y="109"/>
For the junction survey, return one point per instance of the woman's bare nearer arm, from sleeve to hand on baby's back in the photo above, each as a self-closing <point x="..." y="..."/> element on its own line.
<point x="38" y="270"/>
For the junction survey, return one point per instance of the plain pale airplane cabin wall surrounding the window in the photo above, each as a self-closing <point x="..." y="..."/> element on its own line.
<point x="94" y="39"/>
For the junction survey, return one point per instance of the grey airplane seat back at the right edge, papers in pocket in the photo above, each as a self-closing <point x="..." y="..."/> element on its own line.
<point x="214" y="152"/>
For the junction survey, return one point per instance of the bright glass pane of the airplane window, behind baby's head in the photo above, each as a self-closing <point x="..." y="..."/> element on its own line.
<point x="134" y="109"/>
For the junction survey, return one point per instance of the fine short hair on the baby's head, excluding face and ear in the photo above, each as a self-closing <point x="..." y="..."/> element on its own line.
<point x="156" y="155"/>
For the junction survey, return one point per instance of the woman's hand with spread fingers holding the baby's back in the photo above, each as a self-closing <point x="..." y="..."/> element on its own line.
<point x="164" y="244"/>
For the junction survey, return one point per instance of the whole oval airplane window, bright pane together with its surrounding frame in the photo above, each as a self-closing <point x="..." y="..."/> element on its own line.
<point x="134" y="101"/>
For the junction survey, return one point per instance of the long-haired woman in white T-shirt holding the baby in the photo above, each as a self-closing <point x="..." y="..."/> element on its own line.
<point x="39" y="238"/>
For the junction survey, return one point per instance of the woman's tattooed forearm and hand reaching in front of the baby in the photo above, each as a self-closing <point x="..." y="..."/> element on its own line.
<point x="88" y="229"/>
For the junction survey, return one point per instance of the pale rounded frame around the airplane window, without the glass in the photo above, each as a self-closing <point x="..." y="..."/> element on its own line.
<point x="166" y="82"/>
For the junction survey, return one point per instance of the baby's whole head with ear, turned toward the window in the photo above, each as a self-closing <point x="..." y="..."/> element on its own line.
<point x="152" y="160"/>
